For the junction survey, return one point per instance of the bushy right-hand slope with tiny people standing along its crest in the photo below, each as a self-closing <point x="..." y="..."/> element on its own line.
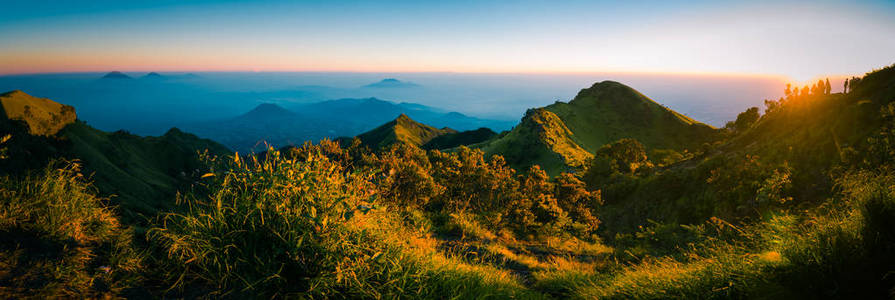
<point x="794" y="150"/>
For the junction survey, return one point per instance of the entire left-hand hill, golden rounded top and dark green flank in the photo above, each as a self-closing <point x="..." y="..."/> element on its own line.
<point x="141" y="173"/>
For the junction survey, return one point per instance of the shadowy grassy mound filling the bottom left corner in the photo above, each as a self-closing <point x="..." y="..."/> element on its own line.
<point x="57" y="239"/>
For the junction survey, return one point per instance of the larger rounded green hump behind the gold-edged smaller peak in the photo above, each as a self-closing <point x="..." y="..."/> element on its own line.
<point x="609" y="111"/>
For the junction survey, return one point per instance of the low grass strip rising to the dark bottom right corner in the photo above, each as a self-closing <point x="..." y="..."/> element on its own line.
<point x="839" y="250"/>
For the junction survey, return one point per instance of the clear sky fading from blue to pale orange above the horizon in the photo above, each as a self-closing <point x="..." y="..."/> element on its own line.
<point x="798" y="40"/>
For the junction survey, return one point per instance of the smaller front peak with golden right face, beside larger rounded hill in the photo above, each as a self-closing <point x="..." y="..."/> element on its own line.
<point x="540" y="139"/>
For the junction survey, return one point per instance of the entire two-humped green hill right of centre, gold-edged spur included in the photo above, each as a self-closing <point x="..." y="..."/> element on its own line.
<point x="562" y="136"/>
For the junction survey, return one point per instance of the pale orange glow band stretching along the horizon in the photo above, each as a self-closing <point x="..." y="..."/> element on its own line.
<point x="41" y="63"/>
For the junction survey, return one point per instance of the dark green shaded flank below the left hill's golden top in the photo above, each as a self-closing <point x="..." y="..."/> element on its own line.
<point x="143" y="173"/>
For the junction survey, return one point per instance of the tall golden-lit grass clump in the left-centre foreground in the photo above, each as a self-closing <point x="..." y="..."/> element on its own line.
<point x="302" y="228"/>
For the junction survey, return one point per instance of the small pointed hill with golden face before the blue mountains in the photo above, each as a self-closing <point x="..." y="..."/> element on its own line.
<point x="401" y="130"/>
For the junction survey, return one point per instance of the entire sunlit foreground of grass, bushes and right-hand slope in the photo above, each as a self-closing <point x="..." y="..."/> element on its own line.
<point x="796" y="203"/>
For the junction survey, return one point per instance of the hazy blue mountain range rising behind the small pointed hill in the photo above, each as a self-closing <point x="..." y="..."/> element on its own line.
<point x="278" y="126"/>
